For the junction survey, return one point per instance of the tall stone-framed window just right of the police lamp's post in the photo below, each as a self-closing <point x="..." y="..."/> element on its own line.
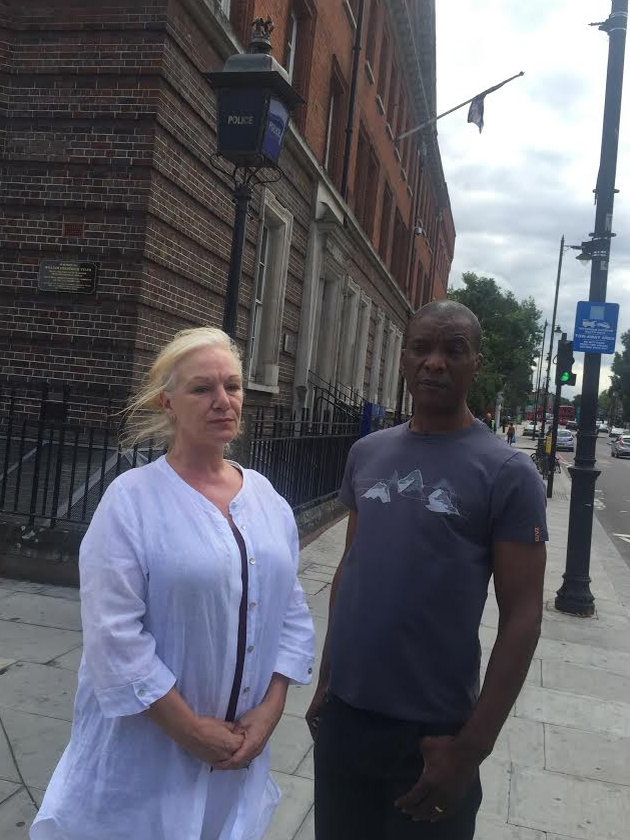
<point x="267" y="307"/>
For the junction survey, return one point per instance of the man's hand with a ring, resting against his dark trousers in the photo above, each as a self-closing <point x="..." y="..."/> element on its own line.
<point x="449" y="771"/>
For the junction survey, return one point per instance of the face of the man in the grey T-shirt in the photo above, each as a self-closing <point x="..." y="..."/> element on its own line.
<point x="440" y="362"/>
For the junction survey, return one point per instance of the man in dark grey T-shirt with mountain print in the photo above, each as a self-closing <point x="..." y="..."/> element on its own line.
<point x="436" y="507"/>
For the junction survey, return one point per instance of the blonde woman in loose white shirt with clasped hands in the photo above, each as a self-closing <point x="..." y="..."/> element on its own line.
<point x="194" y="625"/>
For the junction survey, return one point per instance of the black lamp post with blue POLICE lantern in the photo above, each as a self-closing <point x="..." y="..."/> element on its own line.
<point x="254" y="103"/>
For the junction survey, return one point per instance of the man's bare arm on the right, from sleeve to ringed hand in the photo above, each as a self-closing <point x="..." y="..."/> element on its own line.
<point x="451" y="764"/>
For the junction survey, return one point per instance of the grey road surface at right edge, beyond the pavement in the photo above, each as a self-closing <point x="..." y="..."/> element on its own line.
<point x="612" y="496"/>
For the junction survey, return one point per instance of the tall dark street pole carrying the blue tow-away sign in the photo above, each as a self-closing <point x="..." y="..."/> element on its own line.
<point x="575" y="596"/>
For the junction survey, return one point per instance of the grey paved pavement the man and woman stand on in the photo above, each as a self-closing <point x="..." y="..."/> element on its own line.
<point x="560" y="770"/>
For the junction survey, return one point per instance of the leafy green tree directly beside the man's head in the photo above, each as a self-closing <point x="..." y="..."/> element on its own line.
<point x="511" y="335"/>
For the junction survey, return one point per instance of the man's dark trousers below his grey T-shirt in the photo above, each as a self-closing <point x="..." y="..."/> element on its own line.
<point x="363" y="763"/>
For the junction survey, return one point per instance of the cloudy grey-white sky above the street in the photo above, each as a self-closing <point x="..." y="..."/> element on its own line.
<point x="528" y="178"/>
